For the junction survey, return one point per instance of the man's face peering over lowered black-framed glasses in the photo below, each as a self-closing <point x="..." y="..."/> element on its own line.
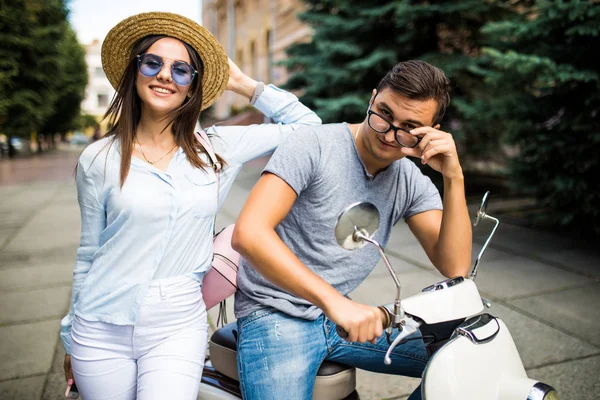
<point x="382" y="148"/>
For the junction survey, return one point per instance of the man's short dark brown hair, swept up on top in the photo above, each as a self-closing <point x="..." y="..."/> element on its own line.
<point x="419" y="80"/>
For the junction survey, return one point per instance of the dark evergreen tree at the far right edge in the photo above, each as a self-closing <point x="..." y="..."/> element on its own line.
<point x="545" y="97"/>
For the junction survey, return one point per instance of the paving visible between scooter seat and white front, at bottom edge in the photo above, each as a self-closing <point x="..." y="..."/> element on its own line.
<point x="374" y="386"/>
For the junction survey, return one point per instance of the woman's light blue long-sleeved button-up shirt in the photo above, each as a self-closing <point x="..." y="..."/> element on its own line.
<point x="160" y="224"/>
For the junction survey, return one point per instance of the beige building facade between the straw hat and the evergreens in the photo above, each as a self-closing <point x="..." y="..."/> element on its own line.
<point x="255" y="34"/>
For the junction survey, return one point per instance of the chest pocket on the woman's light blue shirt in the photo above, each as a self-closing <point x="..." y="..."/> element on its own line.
<point x="202" y="193"/>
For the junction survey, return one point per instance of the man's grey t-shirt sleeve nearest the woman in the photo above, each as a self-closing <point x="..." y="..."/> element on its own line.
<point x="297" y="160"/>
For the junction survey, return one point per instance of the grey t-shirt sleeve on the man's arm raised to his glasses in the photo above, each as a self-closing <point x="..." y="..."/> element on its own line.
<point x="422" y="195"/>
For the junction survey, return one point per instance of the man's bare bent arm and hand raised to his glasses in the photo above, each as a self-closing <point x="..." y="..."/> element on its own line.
<point x="445" y="236"/>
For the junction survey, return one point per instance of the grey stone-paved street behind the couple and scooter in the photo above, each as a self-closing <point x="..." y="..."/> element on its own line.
<point x="546" y="288"/>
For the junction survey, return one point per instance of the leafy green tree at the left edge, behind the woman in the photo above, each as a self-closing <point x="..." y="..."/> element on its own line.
<point x="42" y="68"/>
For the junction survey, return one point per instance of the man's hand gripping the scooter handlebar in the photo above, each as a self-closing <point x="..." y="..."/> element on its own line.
<point x="363" y="323"/>
